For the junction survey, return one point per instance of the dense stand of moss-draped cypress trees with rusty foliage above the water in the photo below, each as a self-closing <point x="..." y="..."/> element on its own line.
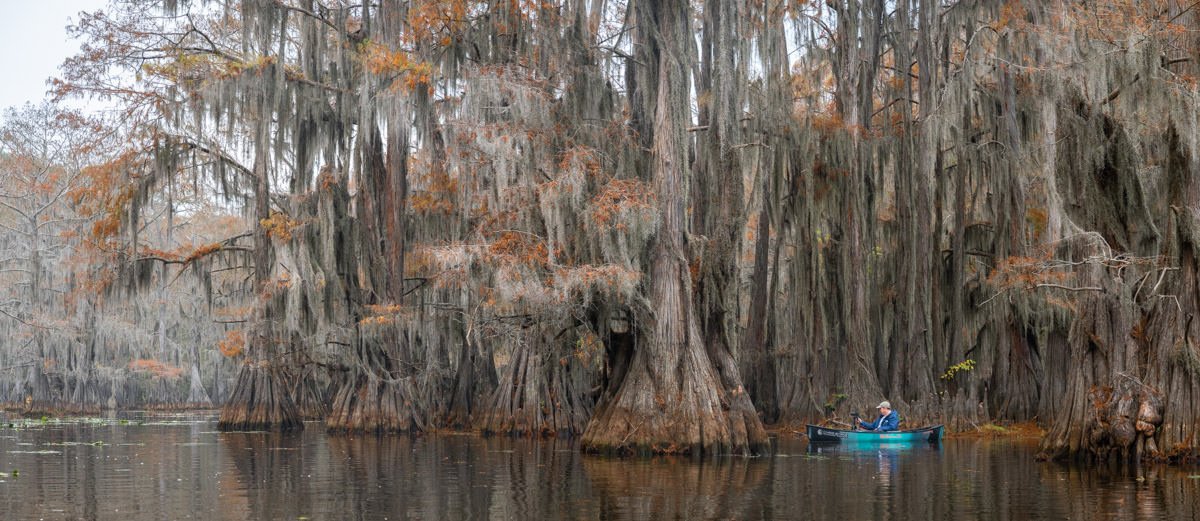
<point x="652" y="224"/>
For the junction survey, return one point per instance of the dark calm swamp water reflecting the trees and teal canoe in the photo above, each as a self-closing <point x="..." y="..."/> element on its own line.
<point x="179" y="468"/>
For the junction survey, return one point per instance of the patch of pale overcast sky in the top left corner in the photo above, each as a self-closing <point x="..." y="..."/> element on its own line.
<point x="33" y="45"/>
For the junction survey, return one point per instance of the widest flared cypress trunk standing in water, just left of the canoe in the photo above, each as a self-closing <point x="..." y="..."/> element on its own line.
<point x="675" y="398"/>
